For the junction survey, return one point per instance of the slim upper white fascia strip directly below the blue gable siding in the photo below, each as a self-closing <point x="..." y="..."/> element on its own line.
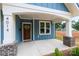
<point x="33" y="7"/>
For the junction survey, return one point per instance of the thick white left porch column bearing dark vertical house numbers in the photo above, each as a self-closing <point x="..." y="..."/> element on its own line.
<point x="9" y="29"/>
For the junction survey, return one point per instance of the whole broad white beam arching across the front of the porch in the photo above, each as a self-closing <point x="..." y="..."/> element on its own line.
<point x="9" y="9"/>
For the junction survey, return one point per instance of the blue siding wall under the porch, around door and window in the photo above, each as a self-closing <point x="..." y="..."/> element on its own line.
<point x="36" y="30"/>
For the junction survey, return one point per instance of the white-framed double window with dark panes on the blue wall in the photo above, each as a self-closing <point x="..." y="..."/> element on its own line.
<point x="45" y="27"/>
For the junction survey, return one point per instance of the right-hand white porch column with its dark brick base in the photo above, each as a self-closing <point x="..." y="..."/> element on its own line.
<point x="68" y="39"/>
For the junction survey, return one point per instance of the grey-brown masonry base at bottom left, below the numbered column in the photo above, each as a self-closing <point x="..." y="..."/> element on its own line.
<point x="8" y="50"/>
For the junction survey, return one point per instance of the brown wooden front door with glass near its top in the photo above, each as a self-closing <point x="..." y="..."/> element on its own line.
<point x="26" y="32"/>
